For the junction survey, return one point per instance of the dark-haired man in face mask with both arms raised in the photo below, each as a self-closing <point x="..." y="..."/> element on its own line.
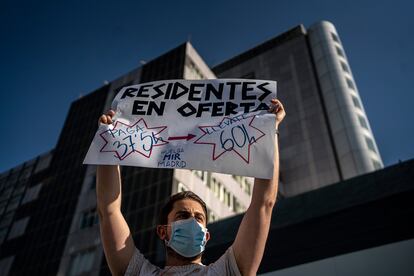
<point x="182" y="226"/>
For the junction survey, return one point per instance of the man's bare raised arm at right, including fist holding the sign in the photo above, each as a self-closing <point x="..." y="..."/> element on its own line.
<point x="250" y="241"/>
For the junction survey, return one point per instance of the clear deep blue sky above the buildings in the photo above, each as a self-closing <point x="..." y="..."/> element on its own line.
<point x="51" y="52"/>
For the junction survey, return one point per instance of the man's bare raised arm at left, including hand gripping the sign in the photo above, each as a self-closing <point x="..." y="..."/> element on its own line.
<point x="115" y="234"/>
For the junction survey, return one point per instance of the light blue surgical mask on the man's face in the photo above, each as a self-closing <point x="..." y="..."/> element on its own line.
<point x="188" y="237"/>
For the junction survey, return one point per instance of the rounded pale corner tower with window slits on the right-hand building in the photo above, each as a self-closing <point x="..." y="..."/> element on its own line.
<point x="340" y="95"/>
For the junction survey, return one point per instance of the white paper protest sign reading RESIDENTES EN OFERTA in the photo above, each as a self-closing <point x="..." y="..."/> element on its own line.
<point x="220" y="125"/>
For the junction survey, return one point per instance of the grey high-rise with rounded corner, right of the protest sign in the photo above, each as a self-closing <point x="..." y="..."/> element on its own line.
<point x="326" y="136"/>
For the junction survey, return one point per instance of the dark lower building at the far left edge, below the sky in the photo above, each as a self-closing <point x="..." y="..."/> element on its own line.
<point x="19" y="194"/>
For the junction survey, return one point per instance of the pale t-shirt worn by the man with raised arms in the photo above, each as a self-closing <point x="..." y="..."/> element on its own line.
<point x="226" y="265"/>
